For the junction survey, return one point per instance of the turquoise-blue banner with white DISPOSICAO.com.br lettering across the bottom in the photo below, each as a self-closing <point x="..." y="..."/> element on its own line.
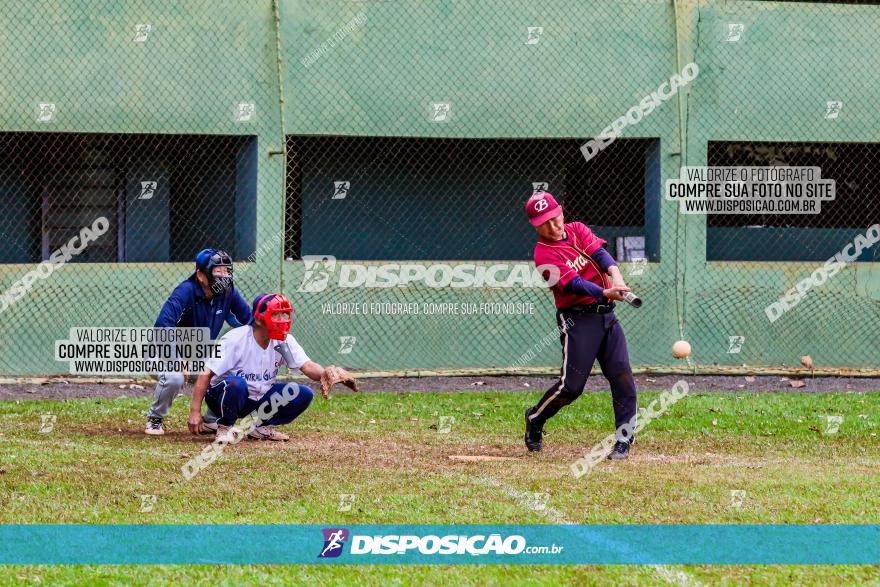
<point x="440" y="544"/>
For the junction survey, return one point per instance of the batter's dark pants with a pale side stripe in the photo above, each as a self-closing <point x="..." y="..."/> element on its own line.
<point x="585" y="338"/>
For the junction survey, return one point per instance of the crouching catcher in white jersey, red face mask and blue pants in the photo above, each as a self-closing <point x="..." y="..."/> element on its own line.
<point x="242" y="379"/>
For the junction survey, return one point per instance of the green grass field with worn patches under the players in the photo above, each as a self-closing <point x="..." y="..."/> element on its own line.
<point x="386" y="449"/>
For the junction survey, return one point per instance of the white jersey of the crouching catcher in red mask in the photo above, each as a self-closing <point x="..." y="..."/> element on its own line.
<point x="241" y="356"/>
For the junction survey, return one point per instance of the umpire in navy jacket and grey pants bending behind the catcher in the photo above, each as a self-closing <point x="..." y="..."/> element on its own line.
<point x="206" y="299"/>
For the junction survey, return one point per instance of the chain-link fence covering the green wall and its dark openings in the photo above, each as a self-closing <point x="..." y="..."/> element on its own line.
<point x="373" y="159"/>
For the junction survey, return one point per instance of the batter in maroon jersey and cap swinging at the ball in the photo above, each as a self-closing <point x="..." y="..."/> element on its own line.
<point x="585" y="317"/>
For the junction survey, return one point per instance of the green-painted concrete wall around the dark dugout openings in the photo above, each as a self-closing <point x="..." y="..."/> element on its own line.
<point x="596" y="61"/>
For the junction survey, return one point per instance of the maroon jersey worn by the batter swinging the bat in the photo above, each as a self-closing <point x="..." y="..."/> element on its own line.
<point x="572" y="255"/>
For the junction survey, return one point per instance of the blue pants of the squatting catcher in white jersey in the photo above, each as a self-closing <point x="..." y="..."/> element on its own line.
<point x="229" y="400"/>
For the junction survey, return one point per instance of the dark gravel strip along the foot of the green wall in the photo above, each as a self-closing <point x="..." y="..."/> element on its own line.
<point x="700" y="383"/>
